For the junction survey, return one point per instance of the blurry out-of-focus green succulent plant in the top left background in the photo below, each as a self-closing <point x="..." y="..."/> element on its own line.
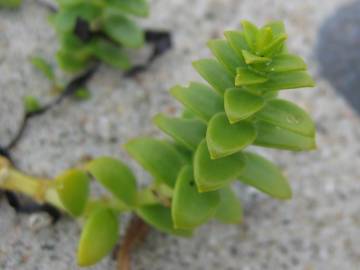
<point x="91" y="30"/>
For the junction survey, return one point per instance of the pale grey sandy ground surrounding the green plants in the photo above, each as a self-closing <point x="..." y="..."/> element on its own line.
<point x="319" y="229"/>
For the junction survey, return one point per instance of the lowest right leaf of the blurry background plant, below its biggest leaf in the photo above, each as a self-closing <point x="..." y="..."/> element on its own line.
<point x="110" y="54"/>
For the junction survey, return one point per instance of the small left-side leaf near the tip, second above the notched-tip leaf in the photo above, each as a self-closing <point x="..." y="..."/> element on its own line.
<point x="226" y="55"/>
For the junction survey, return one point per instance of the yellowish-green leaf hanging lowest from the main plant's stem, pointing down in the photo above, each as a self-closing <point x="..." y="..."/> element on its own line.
<point x="98" y="237"/>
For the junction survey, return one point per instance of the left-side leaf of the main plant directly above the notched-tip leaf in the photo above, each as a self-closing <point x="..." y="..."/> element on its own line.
<point x="215" y="74"/>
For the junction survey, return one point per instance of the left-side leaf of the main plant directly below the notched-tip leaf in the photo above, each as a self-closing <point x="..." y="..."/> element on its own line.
<point x="188" y="132"/>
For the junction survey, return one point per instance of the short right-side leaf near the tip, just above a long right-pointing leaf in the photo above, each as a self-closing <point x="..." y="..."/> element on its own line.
<point x="286" y="62"/>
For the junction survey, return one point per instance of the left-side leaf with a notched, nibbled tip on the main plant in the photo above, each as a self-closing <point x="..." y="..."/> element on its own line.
<point x="199" y="99"/>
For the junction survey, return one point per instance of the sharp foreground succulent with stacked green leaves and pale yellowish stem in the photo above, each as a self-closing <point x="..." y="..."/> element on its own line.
<point x="194" y="168"/>
